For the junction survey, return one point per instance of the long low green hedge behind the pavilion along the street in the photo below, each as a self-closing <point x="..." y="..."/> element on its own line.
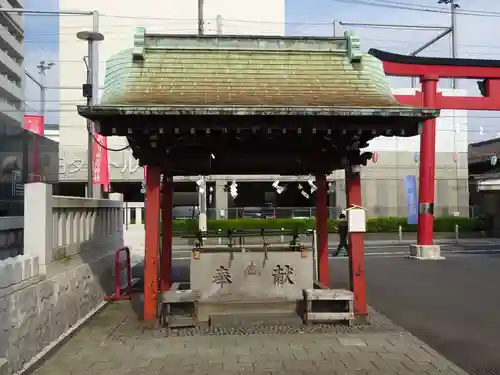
<point x="375" y="225"/>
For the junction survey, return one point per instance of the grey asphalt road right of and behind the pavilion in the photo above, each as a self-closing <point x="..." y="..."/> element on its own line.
<point x="453" y="305"/>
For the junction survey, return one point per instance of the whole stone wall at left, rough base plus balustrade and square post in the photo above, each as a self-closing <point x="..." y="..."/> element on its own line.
<point x="36" y="311"/>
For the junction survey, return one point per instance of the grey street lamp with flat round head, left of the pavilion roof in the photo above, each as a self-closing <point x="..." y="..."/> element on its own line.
<point x="88" y="92"/>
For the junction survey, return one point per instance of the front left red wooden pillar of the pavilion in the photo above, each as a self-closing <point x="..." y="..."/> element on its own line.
<point x="152" y="228"/>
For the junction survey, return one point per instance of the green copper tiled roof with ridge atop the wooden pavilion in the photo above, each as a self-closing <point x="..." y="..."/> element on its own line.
<point x="246" y="71"/>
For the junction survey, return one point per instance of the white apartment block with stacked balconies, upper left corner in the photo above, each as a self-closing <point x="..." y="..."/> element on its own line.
<point x="11" y="64"/>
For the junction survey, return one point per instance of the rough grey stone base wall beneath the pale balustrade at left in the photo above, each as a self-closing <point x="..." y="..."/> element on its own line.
<point x="36" y="313"/>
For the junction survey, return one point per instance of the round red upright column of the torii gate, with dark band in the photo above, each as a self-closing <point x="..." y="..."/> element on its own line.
<point x="427" y="165"/>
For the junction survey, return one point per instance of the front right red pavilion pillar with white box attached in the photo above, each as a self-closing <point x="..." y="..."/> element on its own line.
<point x="356" y="248"/>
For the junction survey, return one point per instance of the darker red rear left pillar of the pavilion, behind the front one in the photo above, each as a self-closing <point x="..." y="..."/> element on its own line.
<point x="166" y="218"/>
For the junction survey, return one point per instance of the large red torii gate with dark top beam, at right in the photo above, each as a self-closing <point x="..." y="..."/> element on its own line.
<point x="430" y="70"/>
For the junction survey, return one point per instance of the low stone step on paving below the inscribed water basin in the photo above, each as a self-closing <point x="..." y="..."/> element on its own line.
<point x="229" y="320"/>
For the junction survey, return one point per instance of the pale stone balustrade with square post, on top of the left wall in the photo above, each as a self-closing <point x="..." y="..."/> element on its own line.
<point x="57" y="227"/>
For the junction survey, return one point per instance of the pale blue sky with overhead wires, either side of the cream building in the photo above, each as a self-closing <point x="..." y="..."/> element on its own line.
<point x="477" y="38"/>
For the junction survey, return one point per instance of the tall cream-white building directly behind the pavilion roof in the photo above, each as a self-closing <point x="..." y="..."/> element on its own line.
<point x="117" y="21"/>
